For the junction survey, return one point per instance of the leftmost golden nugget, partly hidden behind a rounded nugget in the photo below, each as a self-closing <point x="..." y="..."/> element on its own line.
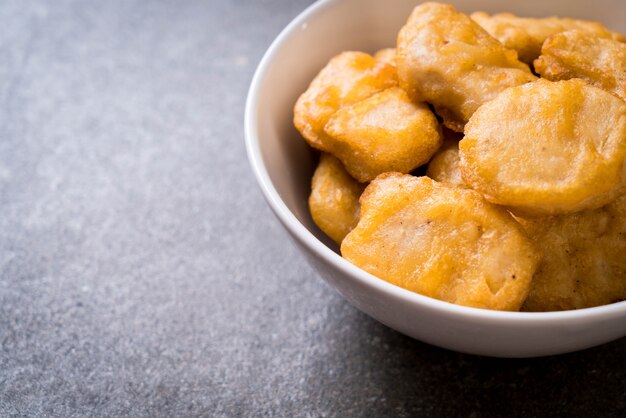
<point x="347" y="78"/>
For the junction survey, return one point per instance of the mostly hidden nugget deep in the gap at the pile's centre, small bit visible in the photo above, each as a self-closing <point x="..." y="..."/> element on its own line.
<point x="444" y="166"/>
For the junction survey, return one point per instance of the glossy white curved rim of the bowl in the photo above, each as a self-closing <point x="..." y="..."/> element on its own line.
<point x="313" y="244"/>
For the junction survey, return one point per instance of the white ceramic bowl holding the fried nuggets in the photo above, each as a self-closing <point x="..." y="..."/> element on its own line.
<point x="283" y="165"/>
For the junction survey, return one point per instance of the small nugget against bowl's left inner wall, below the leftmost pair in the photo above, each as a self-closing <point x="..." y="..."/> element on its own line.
<point x="334" y="199"/>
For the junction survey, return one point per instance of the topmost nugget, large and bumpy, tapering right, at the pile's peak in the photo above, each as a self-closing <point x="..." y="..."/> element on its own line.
<point x="446" y="59"/>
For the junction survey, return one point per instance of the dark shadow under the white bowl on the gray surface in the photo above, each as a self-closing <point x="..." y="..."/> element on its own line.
<point x="377" y="371"/>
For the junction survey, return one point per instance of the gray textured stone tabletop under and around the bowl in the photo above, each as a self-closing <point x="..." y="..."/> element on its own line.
<point x="141" y="272"/>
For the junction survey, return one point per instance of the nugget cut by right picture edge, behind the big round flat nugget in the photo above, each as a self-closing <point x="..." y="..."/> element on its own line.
<point x="576" y="54"/>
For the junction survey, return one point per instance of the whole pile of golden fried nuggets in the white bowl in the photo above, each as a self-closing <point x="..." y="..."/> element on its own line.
<point x="480" y="162"/>
